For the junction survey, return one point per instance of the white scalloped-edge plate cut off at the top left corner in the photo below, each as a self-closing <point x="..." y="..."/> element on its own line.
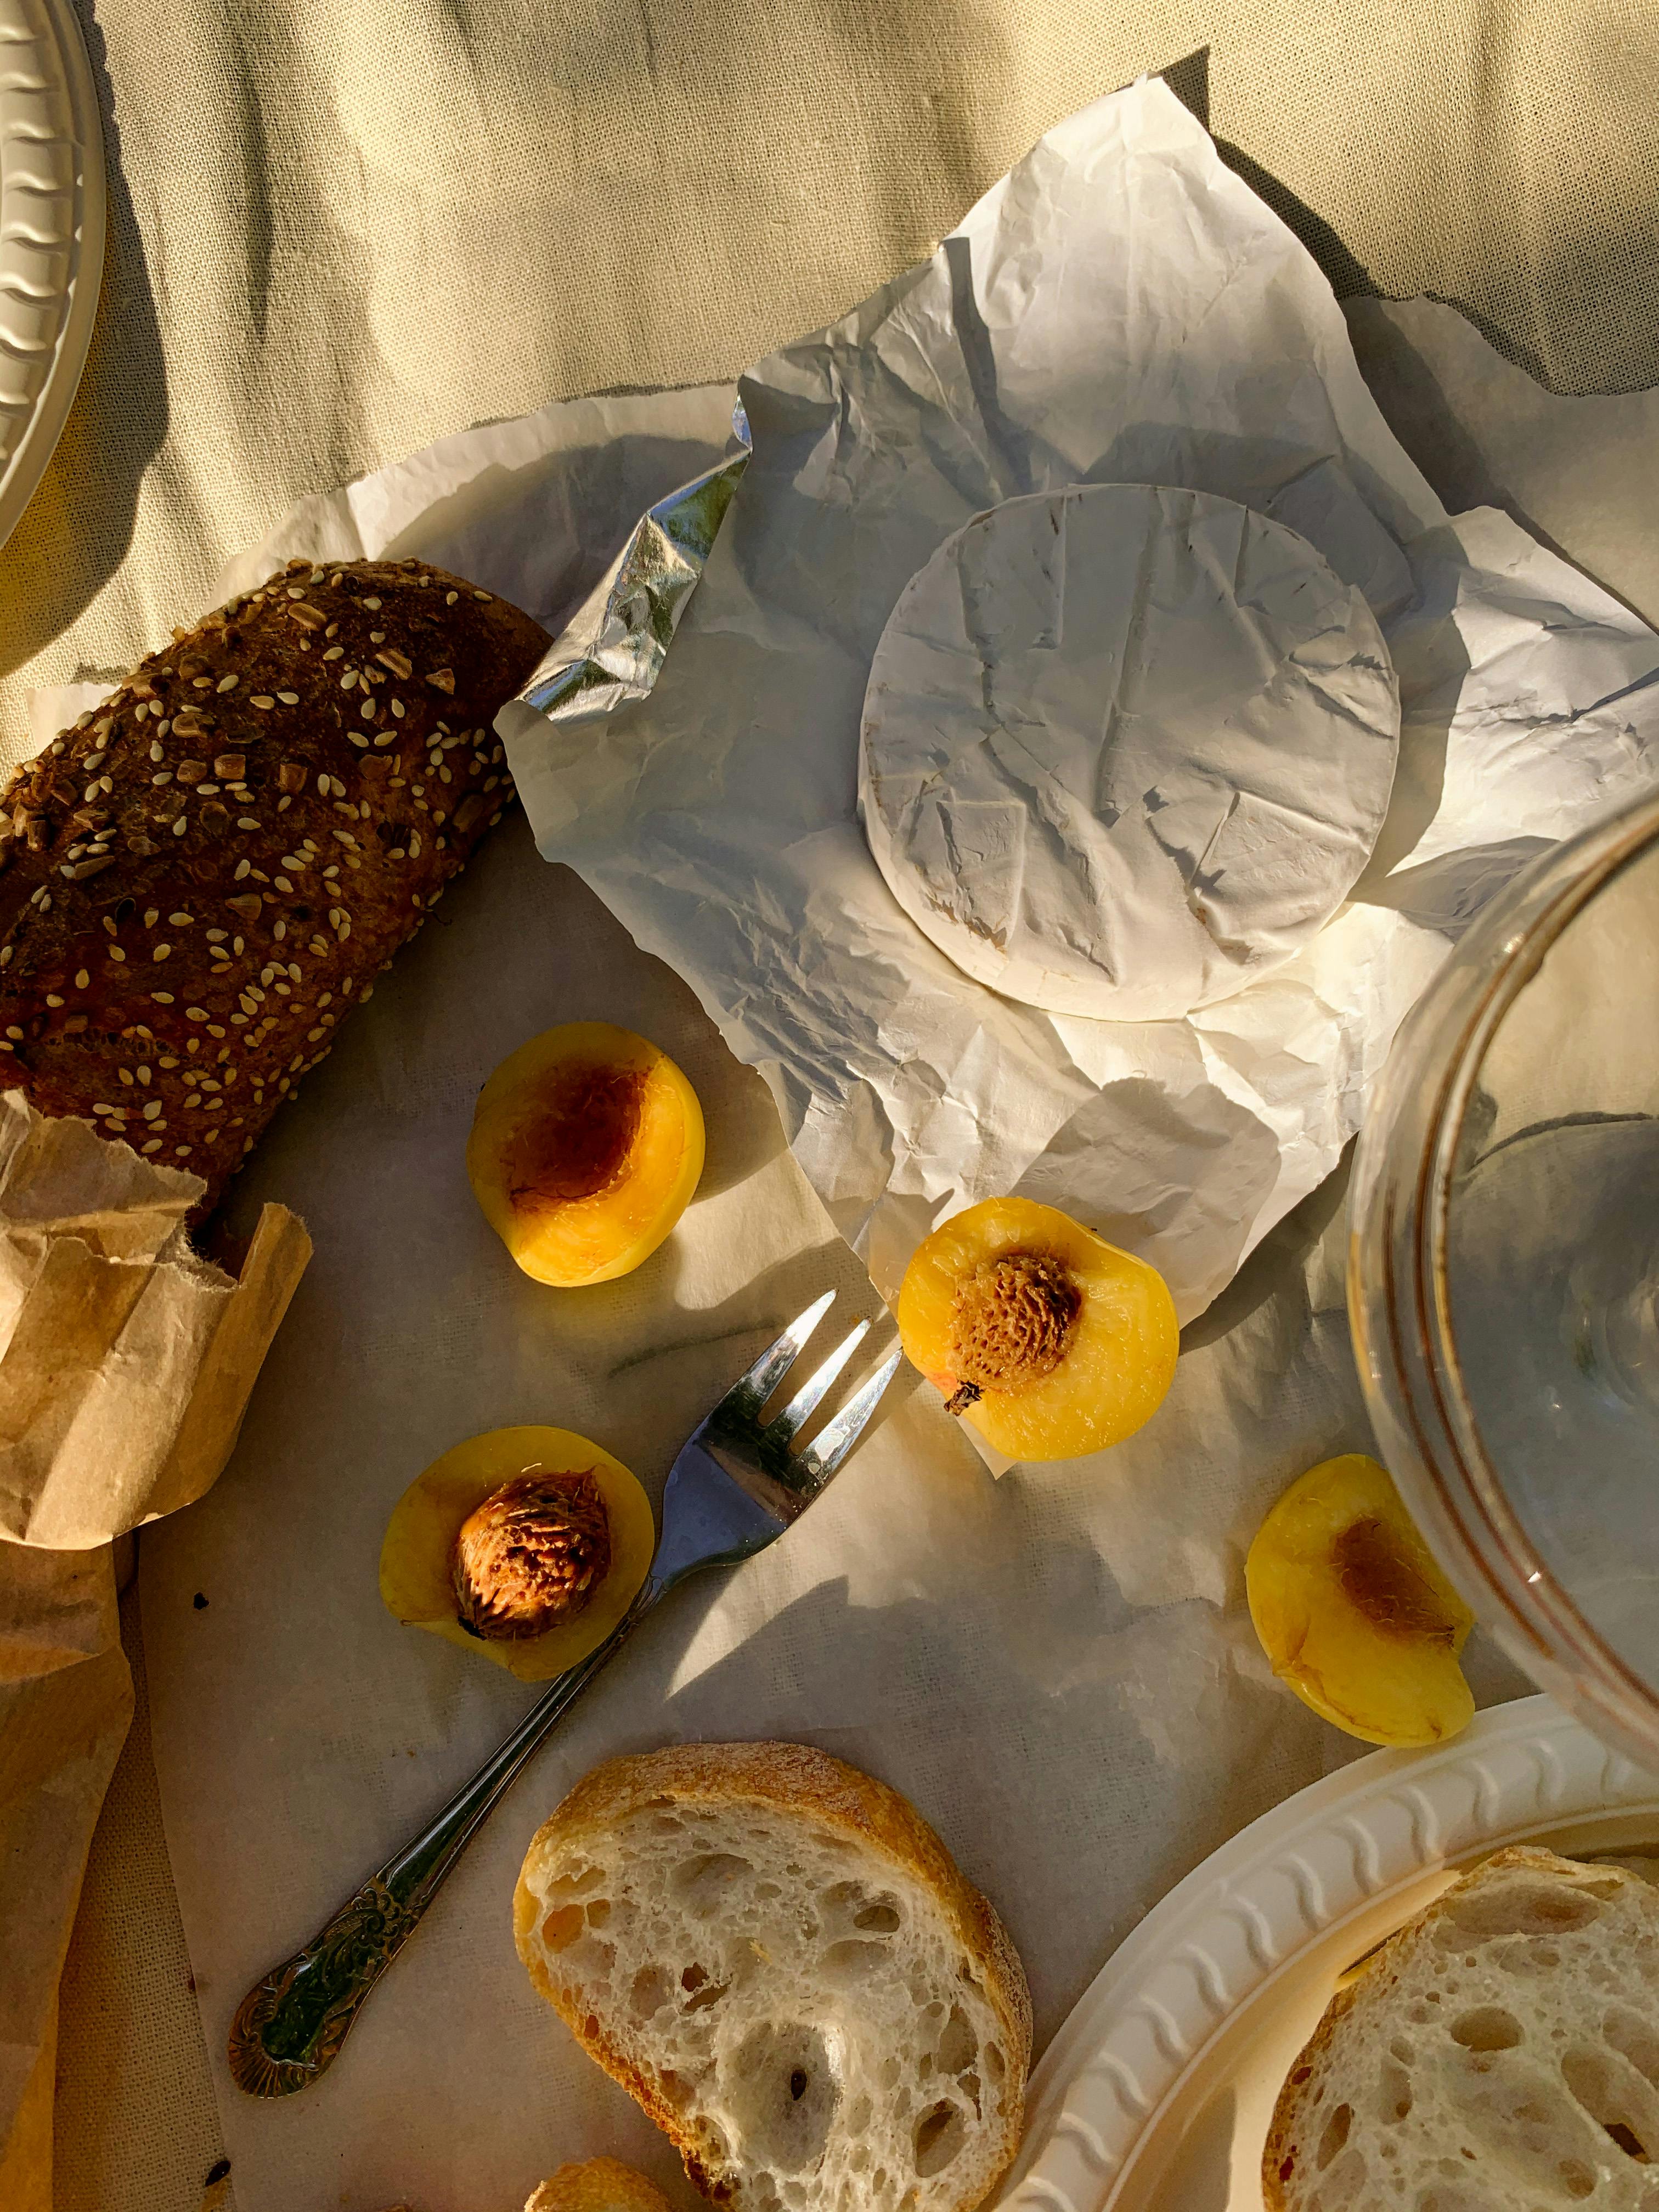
<point x="52" y="236"/>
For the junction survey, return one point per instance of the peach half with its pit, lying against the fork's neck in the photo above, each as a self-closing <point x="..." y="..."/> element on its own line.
<point x="459" y="1496"/>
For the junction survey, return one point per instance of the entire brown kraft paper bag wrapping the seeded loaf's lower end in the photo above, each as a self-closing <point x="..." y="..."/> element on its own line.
<point x="125" y="1373"/>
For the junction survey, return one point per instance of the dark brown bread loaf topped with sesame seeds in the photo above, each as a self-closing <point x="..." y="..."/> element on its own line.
<point x="202" y="877"/>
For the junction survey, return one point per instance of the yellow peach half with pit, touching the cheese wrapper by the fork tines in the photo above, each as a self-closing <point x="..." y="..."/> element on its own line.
<point x="1043" y="1335"/>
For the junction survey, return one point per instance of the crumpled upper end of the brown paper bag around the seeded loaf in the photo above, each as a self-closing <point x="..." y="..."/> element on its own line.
<point x="125" y="1357"/>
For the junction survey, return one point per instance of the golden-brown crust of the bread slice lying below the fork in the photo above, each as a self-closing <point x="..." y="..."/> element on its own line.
<point x="813" y="1786"/>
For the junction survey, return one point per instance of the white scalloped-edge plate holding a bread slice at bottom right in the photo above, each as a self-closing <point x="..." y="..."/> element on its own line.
<point x="1158" y="2091"/>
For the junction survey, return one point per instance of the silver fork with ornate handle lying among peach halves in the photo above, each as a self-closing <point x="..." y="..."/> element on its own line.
<point x="733" y="1490"/>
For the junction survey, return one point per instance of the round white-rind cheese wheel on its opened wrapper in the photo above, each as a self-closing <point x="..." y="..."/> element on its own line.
<point x="1125" y="749"/>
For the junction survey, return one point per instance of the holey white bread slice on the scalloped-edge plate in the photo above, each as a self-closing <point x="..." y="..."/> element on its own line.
<point x="1501" y="2054"/>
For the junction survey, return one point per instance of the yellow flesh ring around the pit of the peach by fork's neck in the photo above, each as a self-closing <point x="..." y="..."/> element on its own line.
<point x="421" y="1541"/>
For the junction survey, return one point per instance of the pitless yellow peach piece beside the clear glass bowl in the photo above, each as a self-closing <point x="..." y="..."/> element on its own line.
<point x="1353" y="1609"/>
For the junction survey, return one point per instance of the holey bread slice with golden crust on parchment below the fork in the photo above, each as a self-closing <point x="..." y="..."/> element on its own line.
<point x="778" y="1957"/>
